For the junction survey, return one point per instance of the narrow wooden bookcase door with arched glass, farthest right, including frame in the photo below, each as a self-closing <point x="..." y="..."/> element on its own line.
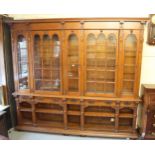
<point x="130" y="62"/>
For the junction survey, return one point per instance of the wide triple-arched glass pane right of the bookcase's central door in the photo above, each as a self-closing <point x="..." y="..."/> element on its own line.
<point x="101" y="53"/>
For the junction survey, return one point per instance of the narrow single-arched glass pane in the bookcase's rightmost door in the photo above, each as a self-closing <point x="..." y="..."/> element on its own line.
<point x="130" y="49"/>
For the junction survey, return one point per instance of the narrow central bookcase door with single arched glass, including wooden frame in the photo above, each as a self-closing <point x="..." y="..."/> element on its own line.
<point x="72" y="61"/>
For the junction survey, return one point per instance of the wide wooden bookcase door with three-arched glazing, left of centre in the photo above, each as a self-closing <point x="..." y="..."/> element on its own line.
<point x="47" y="61"/>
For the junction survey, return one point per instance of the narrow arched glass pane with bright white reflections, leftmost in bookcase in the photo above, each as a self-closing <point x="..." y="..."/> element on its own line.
<point x="22" y="62"/>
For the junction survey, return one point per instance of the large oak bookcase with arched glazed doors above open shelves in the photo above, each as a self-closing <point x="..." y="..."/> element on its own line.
<point x="78" y="76"/>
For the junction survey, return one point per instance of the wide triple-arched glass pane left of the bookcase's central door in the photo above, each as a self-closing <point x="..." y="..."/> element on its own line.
<point x="47" y="62"/>
